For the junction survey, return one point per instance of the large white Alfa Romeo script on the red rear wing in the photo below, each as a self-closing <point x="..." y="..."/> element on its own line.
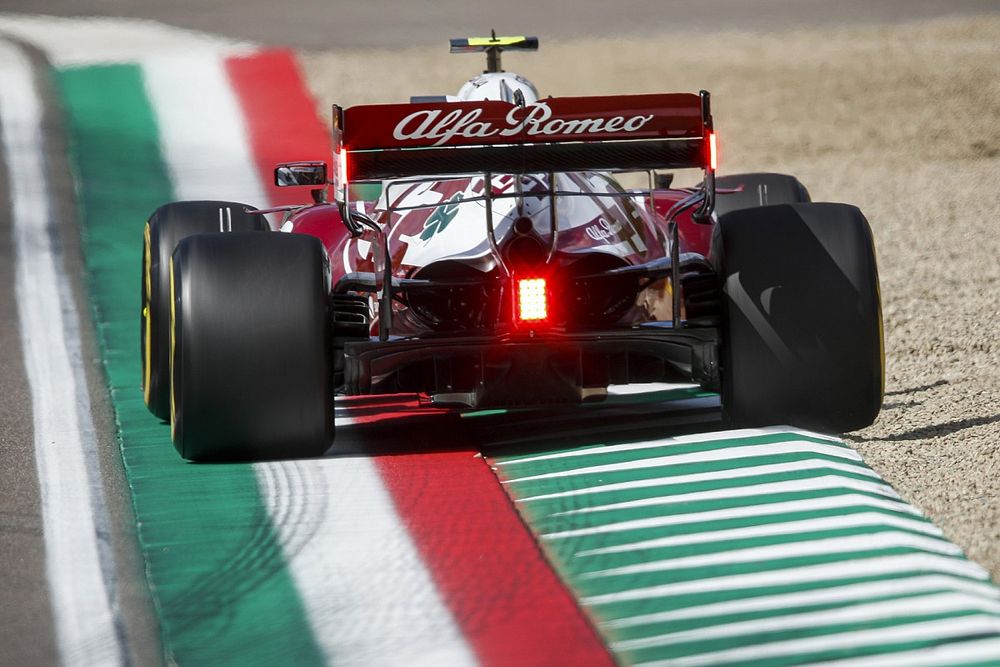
<point x="442" y="126"/>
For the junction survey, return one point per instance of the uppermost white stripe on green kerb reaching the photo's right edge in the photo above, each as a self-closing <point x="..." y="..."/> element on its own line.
<point x="897" y="587"/>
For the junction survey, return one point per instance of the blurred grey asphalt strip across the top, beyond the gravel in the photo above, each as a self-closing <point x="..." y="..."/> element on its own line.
<point x="379" y="24"/>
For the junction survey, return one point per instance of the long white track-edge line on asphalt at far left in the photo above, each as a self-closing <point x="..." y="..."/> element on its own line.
<point x="72" y="504"/>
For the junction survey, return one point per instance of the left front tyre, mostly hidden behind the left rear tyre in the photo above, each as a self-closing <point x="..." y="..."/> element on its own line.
<point x="165" y="228"/>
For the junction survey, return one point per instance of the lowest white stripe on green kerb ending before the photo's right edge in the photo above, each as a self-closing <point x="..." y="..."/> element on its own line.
<point x="849" y="569"/>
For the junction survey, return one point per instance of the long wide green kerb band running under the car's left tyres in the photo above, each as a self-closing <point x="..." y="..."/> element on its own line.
<point x="214" y="565"/>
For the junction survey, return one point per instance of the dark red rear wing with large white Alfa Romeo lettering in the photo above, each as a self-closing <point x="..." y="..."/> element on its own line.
<point x="629" y="132"/>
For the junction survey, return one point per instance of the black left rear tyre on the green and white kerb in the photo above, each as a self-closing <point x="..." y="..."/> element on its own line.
<point x="251" y="347"/>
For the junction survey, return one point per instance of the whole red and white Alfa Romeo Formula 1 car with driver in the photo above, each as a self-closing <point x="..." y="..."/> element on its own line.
<point x="489" y="250"/>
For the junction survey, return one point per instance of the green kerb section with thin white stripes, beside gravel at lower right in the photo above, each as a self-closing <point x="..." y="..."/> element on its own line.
<point x="595" y="507"/>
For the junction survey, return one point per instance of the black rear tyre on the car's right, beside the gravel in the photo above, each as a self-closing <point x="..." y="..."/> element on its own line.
<point x="802" y="321"/>
